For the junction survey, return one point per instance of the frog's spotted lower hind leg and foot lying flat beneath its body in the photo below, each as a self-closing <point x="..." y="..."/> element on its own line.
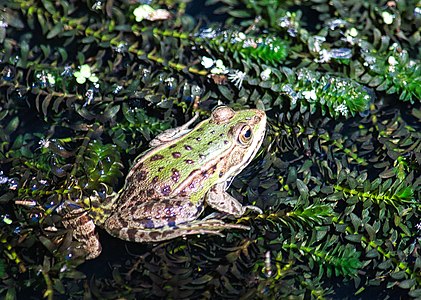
<point x="212" y="226"/>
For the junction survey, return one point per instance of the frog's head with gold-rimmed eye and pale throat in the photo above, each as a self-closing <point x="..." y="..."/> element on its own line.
<point x="245" y="130"/>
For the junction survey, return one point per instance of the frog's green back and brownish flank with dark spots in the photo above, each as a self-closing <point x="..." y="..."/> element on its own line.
<point x="181" y="167"/>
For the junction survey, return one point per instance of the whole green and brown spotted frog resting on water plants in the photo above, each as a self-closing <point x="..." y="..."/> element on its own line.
<point x="169" y="185"/>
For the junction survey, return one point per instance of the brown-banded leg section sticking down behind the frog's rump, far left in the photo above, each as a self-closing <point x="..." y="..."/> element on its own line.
<point x="83" y="231"/>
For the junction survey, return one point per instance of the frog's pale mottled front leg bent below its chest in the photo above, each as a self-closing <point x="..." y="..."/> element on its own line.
<point x="220" y="200"/>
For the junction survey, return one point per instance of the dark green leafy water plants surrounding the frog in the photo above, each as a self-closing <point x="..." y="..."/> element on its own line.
<point x="85" y="85"/>
